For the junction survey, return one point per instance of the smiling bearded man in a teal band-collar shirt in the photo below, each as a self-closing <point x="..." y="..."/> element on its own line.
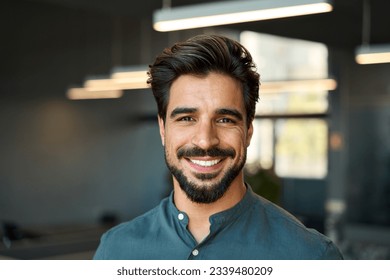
<point x="206" y="90"/>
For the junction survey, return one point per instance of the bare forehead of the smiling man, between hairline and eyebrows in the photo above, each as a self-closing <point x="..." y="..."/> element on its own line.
<point x="211" y="91"/>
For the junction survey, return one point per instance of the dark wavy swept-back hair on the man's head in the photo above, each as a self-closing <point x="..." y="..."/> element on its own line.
<point x="201" y="55"/>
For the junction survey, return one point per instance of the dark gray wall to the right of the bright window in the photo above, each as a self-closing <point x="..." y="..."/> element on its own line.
<point x="360" y="170"/>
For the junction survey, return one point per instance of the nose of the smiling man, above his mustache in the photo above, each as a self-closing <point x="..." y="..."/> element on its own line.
<point x="206" y="135"/>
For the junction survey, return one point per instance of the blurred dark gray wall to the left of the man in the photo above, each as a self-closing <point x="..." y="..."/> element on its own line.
<point x="65" y="161"/>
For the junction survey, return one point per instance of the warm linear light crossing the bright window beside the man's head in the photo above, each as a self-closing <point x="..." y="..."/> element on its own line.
<point x="298" y="85"/>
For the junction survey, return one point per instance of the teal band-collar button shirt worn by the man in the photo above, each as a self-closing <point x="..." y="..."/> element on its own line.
<point x="253" y="229"/>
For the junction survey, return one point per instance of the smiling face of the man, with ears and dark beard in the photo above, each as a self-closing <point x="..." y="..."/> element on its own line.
<point x="205" y="135"/>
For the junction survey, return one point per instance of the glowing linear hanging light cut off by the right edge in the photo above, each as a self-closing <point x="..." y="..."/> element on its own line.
<point x="371" y="54"/>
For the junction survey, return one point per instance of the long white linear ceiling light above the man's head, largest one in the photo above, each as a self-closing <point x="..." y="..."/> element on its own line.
<point x="229" y="12"/>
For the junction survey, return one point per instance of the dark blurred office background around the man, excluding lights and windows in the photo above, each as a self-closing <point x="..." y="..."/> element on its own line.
<point x="70" y="169"/>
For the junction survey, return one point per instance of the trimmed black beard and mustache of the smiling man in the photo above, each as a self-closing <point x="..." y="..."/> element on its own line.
<point x="211" y="193"/>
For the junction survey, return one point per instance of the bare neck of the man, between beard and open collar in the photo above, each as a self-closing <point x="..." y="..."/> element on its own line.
<point x="199" y="213"/>
